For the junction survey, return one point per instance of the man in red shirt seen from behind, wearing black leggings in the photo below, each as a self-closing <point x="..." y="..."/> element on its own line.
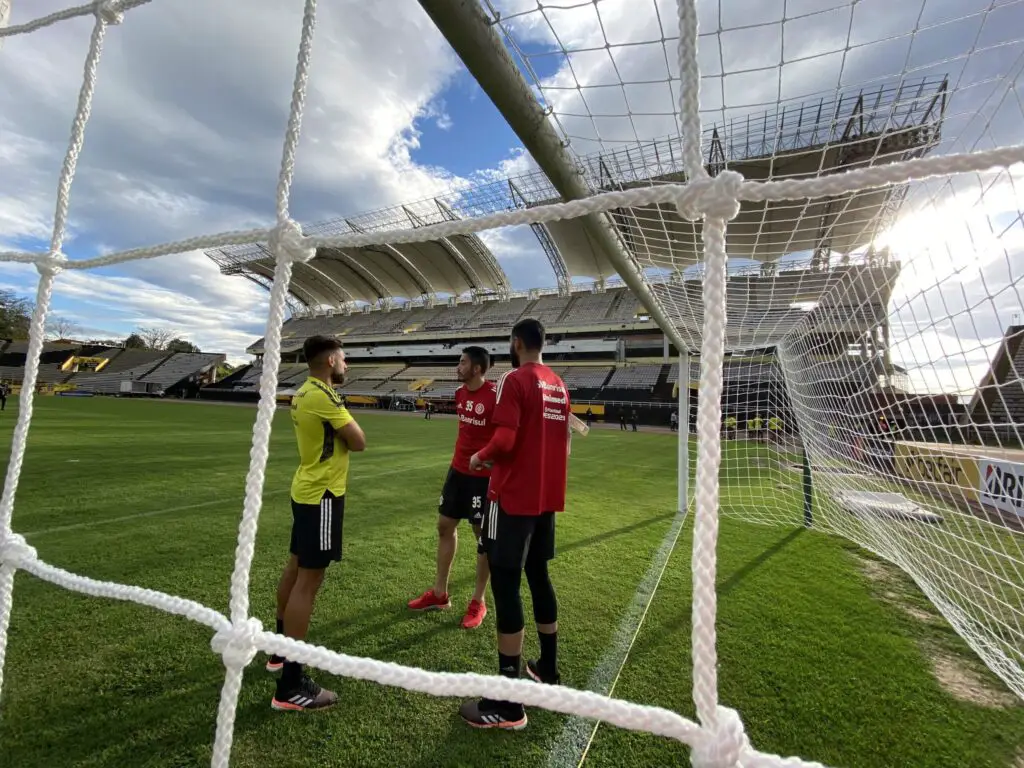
<point x="530" y="455"/>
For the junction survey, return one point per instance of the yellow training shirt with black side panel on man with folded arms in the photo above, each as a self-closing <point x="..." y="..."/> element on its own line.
<point x="319" y="416"/>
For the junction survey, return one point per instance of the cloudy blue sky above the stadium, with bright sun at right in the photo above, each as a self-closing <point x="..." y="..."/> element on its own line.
<point x="193" y="97"/>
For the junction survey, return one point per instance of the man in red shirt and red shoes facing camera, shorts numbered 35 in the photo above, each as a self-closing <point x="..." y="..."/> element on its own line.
<point x="465" y="492"/>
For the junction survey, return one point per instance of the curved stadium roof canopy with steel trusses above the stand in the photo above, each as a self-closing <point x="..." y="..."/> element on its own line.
<point x="796" y="140"/>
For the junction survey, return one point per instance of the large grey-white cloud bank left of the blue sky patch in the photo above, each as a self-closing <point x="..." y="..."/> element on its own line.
<point x="186" y="136"/>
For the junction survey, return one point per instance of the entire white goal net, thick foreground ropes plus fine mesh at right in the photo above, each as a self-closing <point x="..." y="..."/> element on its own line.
<point x="818" y="203"/>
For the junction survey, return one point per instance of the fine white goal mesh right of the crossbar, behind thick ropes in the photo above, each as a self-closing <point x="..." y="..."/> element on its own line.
<point x="868" y="328"/>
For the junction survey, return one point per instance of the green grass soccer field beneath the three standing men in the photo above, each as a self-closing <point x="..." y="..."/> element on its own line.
<point x="823" y="657"/>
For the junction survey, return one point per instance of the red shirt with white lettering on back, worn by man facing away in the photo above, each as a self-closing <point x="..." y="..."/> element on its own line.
<point x="530" y="480"/>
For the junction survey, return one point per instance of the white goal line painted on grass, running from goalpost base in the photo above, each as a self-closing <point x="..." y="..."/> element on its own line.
<point x="571" y="750"/>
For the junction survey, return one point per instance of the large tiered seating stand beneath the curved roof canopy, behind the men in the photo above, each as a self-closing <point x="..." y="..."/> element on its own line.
<point x="606" y="348"/>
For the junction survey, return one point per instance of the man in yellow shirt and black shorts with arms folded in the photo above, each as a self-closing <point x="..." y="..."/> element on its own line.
<point x="326" y="433"/>
